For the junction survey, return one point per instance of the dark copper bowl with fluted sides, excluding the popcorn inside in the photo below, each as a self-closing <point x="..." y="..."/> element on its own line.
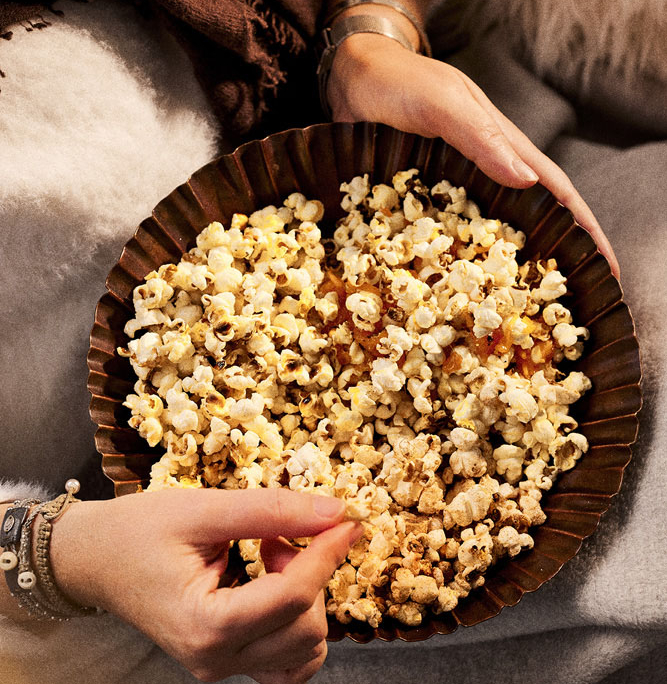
<point x="315" y="161"/>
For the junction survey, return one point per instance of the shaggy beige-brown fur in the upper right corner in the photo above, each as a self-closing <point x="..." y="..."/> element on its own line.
<point x="608" y="54"/>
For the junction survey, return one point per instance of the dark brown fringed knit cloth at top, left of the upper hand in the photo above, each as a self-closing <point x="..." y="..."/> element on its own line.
<point x="253" y="57"/>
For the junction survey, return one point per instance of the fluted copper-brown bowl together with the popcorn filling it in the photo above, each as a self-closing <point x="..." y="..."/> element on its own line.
<point x="357" y="312"/>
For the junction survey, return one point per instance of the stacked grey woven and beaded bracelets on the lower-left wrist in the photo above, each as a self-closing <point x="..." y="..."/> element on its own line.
<point x="34" y="586"/>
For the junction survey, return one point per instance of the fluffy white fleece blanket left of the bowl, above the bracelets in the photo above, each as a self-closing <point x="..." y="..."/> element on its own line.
<point x="100" y="117"/>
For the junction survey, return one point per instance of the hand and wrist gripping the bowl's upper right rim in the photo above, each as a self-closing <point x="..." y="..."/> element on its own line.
<point x="374" y="78"/>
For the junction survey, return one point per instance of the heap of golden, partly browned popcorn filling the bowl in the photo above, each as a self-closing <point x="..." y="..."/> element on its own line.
<point x="408" y="367"/>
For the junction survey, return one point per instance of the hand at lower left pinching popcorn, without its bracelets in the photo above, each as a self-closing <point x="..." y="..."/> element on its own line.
<point x="155" y="560"/>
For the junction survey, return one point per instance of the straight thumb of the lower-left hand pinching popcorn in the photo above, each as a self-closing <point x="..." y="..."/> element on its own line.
<point x="265" y="513"/>
